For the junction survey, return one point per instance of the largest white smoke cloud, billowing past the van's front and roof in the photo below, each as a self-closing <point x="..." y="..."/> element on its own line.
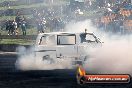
<point x="113" y="57"/>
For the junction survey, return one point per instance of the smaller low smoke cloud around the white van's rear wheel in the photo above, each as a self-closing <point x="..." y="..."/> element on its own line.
<point x="28" y="61"/>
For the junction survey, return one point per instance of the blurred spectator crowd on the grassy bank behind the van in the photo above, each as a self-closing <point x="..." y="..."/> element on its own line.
<point x="117" y="16"/>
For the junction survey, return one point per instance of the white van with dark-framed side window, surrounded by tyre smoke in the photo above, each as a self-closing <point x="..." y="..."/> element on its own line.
<point x="64" y="45"/>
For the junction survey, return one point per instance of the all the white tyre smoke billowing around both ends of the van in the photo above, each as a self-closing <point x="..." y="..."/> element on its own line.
<point x="114" y="56"/>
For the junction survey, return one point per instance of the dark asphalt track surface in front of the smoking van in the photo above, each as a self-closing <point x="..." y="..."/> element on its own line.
<point x="12" y="78"/>
